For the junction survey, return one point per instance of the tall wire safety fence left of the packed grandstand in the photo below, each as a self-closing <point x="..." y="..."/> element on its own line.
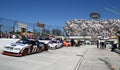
<point x="9" y="26"/>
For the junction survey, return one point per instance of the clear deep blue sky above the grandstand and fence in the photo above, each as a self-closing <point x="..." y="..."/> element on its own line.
<point x="56" y="12"/>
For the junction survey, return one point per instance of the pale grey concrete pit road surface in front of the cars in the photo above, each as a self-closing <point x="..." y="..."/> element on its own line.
<point x="66" y="58"/>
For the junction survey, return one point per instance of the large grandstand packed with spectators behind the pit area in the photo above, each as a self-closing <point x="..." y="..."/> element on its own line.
<point x="81" y="27"/>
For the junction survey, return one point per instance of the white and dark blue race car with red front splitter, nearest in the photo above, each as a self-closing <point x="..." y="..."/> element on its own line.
<point x="24" y="47"/>
